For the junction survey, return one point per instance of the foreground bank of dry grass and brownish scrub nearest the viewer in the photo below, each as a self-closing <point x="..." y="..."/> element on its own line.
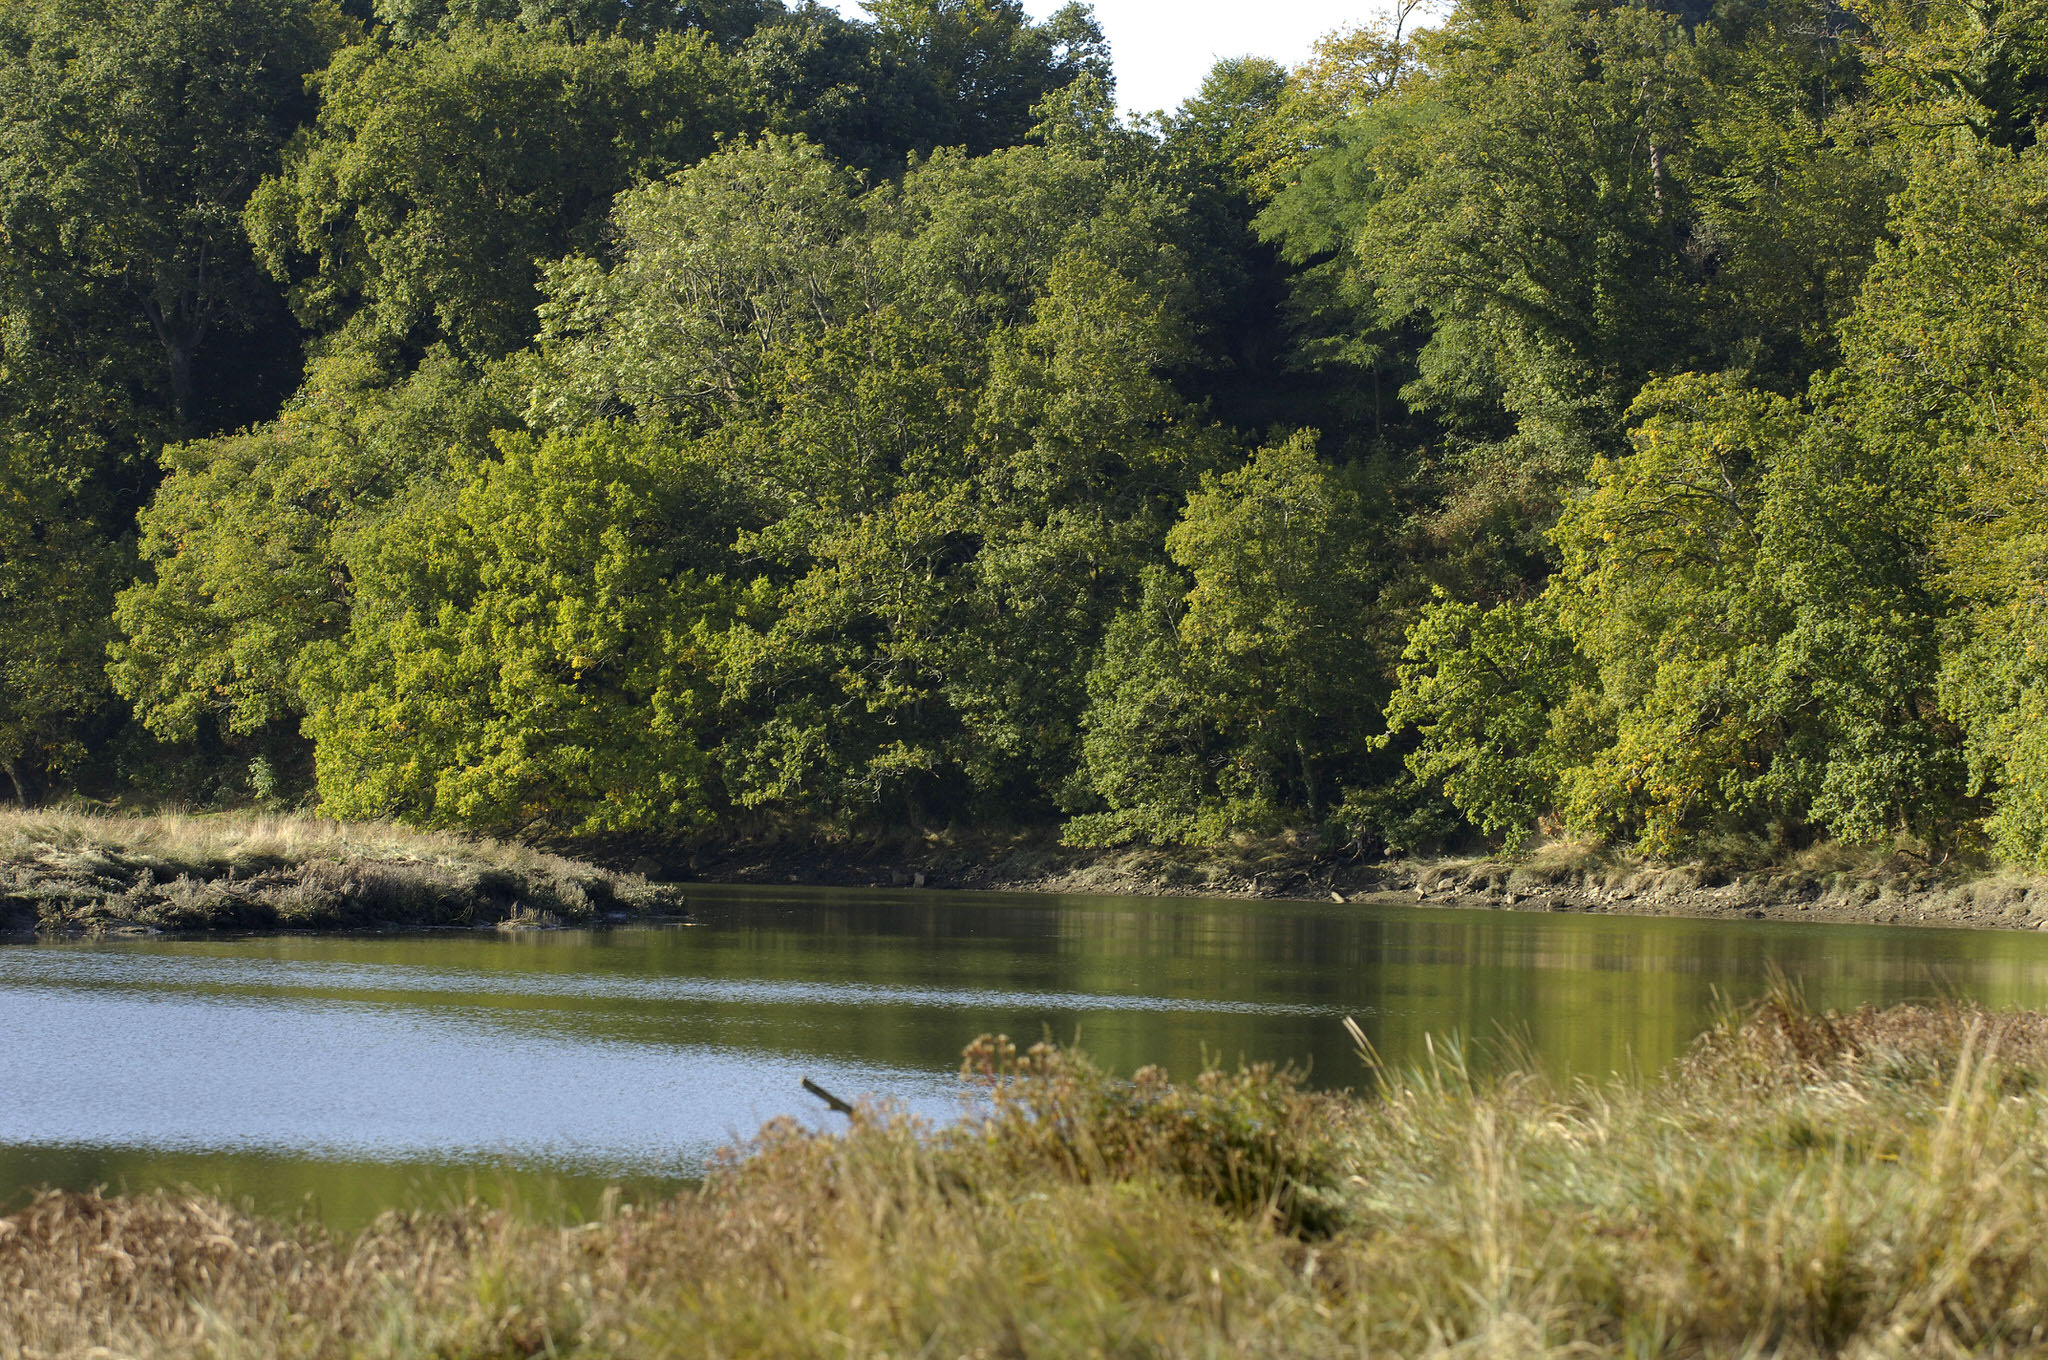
<point x="1799" y="1185"/>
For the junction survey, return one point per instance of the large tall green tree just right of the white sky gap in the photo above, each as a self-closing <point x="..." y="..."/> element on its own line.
<point x="1558" y="206"/>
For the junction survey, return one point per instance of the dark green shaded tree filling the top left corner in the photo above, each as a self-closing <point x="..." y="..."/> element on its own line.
<point x="130" y="140"/>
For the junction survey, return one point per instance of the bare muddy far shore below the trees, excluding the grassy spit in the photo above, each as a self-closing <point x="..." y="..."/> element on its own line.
<point x="1830" y="884"/>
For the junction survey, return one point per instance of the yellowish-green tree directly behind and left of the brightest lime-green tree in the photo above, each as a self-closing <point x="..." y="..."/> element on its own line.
<point x="255" y="542"/>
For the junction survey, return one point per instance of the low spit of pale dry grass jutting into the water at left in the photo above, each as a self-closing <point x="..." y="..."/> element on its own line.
<point x="67" y="872"/>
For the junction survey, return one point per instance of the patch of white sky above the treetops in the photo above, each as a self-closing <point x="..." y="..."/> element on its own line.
<point x="1164" y="48"/>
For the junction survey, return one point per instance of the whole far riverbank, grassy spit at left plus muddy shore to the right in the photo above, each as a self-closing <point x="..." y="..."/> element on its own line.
<point x="237" y="872"/>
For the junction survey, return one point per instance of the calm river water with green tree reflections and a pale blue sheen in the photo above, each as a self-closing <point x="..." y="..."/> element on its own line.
<point x="353" y="1074"/>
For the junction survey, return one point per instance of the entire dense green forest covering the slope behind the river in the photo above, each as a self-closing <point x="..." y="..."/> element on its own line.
<point x="714" y="419"/>
